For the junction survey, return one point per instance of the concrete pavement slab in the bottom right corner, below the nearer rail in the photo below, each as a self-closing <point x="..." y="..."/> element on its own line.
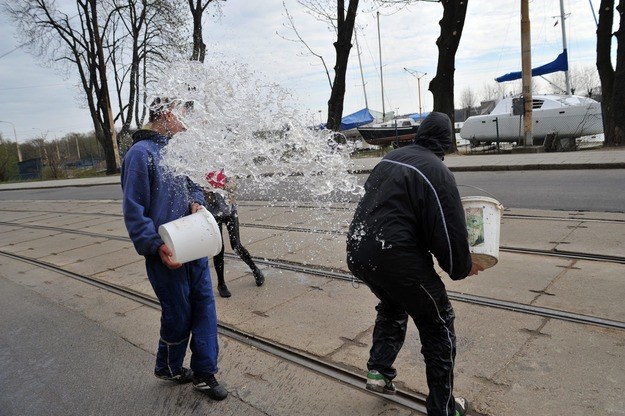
<point x="584" y="364"/>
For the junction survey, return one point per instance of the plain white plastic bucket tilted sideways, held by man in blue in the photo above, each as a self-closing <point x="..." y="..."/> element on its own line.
<point x="192" y="237"/>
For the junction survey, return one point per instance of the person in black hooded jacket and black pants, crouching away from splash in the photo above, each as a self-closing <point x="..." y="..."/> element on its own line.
<point x="410" y="211"/>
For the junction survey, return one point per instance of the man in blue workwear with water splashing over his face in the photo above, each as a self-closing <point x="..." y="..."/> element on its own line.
<point x="153" y="196"/>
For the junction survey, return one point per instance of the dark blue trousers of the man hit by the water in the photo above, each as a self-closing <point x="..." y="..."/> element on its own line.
<point x="188" y="314"/>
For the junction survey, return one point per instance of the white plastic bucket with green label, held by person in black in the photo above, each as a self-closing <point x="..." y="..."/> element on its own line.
<point x="483" y="217"/>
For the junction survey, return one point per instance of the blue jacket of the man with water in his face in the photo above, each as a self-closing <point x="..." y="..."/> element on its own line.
<point x="152" y="195"/>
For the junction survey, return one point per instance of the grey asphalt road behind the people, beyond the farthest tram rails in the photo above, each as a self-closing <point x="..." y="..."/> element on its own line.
<point x="598" y="190"/>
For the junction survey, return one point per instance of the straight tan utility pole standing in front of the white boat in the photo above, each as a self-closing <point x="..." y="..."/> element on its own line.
<point x="526" y="69"/>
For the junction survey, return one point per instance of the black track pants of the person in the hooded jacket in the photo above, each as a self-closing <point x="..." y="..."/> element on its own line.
<point x="404" y="291"/>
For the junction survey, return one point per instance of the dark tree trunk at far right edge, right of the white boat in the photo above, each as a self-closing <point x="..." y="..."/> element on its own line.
<point x="604" y="67"/>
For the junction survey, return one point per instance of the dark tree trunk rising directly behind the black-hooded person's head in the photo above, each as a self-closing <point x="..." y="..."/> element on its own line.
<point x="442" y="85"/>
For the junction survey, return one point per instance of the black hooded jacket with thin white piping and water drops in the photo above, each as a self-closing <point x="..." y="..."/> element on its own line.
<point x="412" y="206"/>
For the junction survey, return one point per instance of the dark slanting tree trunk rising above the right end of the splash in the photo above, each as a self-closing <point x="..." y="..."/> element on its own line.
<point x="343" y="45"/>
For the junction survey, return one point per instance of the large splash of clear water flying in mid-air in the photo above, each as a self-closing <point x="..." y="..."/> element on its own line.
<point x="250" y="128"/>
